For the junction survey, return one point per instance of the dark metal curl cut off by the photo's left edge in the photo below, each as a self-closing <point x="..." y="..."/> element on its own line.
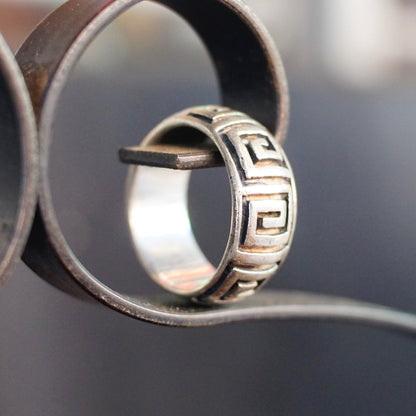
<point x="18" y="162"/>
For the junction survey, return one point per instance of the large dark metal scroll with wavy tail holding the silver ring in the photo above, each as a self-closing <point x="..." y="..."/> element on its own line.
<point x="252" y="81"/>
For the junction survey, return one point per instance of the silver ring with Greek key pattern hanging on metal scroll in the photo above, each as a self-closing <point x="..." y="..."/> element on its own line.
<point x="264" y="205"/>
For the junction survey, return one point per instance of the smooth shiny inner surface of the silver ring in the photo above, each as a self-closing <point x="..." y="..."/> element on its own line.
<point x="160" y="223"/>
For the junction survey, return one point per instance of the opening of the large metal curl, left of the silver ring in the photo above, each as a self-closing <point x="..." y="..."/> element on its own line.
<point x="143" y="67"/>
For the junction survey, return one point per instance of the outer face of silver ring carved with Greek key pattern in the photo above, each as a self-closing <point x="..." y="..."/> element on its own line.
<point x="265" y="196"/>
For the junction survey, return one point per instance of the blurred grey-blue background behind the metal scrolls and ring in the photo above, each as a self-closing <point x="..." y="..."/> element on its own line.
<point x="352" y="72"/>
